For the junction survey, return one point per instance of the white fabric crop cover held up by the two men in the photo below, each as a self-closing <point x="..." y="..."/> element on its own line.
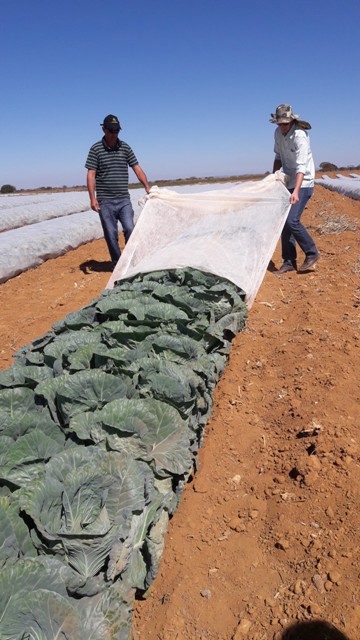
<point x="230" y="232"/>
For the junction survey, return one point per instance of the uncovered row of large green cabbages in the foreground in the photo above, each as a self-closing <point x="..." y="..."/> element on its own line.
<point x="101" y="420"/>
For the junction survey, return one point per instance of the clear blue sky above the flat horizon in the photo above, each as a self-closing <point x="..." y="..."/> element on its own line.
<point x="193" y="83"/>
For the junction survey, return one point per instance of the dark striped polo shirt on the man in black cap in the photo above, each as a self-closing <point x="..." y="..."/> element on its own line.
<point x="111" y="166"/>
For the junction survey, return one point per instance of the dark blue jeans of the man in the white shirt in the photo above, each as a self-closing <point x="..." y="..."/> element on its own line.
<point x="295" y="232"/>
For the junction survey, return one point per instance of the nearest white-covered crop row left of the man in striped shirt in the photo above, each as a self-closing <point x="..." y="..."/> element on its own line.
<point x="24" y="248"/>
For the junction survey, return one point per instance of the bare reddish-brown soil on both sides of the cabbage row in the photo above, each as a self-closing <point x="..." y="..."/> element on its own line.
<point x="267" y="533"/>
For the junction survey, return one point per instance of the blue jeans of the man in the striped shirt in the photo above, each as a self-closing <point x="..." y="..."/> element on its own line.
<point x="111" y="212"/>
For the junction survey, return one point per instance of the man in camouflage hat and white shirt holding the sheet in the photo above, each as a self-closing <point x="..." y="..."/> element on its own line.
<point x="293" y="155"/>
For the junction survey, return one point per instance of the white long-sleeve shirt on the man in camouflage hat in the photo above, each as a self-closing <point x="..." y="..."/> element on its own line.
<point x="293" y="150"/>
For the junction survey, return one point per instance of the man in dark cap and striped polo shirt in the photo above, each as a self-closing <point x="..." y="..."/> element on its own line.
<point x="108" y="184"/>
